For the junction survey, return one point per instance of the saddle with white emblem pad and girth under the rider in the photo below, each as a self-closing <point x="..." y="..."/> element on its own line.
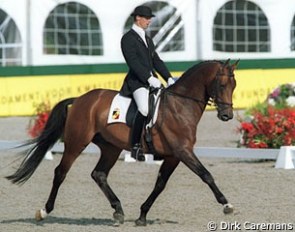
<point x="123" y="110"/>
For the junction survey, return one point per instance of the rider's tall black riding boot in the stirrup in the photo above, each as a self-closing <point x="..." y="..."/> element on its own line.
<point x="136" y="151"/>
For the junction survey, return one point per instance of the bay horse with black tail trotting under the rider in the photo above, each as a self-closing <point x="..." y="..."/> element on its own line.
<point x="173" y="135"/>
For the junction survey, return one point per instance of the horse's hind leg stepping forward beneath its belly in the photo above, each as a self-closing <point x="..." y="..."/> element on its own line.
<point x="109" y="156"/>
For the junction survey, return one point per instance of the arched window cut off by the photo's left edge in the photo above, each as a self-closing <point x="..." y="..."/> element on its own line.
<point x="10" y="42"/>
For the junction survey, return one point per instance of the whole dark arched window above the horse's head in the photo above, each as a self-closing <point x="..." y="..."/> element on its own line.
<point x="241" y="26"/>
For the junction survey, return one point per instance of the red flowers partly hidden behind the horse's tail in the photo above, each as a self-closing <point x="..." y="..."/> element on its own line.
<point x="37" y="124"/>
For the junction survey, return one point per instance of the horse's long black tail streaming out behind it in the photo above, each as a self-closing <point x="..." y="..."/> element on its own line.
<point x="52" y="132"/>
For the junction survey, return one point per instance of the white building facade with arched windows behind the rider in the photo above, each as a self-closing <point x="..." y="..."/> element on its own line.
<point x="57" y="32"/>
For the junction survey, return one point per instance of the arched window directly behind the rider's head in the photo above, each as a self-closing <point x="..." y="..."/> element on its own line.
<point x="166" y="29"/>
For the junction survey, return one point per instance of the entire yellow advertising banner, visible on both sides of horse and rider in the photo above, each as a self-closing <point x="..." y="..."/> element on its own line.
<point x="20" y="95"/>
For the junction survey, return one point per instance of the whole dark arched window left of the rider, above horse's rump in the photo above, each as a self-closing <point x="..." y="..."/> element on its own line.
<point x="72" y="28"/>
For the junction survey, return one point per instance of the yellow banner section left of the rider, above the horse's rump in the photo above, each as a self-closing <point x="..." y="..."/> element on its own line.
<point x="19" y="96"/>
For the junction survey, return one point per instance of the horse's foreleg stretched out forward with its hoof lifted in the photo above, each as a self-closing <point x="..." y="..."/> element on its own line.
<point x="191" y="161"/>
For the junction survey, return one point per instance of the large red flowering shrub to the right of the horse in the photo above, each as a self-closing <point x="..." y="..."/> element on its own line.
<point x="270" y="124"/>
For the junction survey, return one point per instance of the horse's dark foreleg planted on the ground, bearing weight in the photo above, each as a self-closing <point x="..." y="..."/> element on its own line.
<point x="165" y="172"/>
